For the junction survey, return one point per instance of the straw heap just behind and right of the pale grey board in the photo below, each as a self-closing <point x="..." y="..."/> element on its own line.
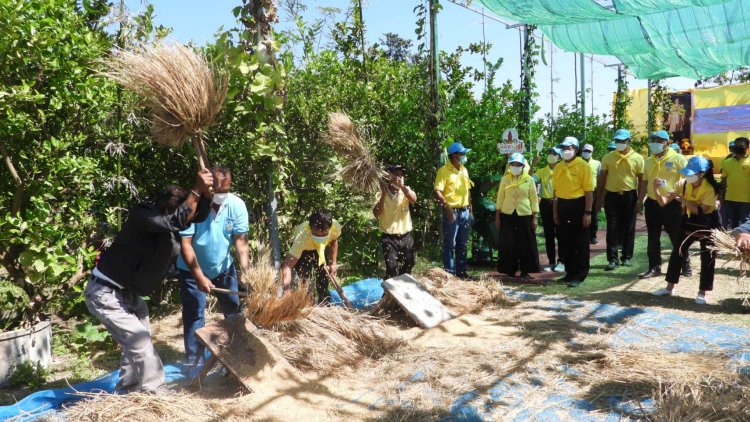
<point x="459" y="295"/>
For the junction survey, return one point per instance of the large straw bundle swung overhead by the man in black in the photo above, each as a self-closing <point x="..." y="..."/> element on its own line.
<point x="184" y="93"/>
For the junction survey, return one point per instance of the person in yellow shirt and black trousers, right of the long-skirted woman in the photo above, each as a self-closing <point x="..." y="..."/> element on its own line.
<point x="572" y="209"/>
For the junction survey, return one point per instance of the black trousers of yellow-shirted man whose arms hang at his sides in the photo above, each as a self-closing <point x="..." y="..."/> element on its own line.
<point x="620" y="211"/>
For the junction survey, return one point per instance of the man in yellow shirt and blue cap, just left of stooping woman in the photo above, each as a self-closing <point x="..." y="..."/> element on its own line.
<point x="664" y="166"/>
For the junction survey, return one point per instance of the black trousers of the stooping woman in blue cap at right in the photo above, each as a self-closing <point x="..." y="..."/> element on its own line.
<point x="708" y="258"/>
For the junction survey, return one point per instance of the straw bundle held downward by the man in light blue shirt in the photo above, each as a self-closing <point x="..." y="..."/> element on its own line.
<point x="264" y="306"/>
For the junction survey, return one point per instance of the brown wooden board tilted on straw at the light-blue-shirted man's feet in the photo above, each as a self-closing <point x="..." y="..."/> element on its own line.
<point x="251" y="359"/>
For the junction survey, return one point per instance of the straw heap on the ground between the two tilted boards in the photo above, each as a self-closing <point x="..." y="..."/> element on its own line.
<point x="331" y="337"/>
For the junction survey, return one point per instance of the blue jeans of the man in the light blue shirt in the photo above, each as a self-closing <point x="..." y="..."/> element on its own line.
<point x="194" y="308"/>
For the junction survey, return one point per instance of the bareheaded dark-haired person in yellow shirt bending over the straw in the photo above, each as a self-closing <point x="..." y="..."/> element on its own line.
<point x="314" y="253"/>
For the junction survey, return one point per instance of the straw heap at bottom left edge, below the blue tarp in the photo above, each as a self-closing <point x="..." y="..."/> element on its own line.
<point x="140" y="407"/>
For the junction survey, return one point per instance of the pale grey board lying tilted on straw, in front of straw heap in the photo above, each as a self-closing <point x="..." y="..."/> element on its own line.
<point x="416" y="301"/>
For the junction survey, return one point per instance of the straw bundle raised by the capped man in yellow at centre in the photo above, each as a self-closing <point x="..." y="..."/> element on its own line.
<point x="360" y="171"/>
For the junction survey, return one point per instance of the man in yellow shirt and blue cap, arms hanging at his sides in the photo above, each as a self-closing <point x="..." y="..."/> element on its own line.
<point x="620" y="178"/>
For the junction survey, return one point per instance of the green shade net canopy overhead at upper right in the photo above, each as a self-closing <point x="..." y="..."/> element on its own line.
<point x="655" y="39"/>
